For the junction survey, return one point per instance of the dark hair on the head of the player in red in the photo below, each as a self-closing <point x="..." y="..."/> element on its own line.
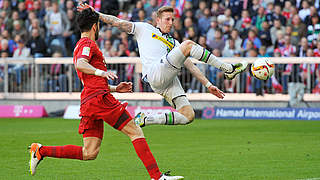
<point x="86" y="19"/>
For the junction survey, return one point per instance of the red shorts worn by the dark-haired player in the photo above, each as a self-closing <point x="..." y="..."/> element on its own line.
<point x="103" y="107"/>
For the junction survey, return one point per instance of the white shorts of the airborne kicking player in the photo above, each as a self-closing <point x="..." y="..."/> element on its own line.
<point x="163" y="78"/>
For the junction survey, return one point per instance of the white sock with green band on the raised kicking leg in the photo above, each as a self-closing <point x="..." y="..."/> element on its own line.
<point x="205" y="56"/>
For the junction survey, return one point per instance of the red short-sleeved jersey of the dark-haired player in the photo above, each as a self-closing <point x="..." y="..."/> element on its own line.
<point x="88" y="49"/>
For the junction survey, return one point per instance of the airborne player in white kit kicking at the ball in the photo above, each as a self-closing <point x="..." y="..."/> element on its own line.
<point x="162" y="59"/>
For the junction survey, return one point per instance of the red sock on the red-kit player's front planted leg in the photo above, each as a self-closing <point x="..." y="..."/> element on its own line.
<point x="146" y="157"/>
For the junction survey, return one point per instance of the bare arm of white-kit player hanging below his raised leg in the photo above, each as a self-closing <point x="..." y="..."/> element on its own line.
<point x="195" y="71"/>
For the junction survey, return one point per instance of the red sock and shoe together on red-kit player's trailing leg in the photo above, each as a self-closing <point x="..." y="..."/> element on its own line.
<point x="38" y="152"/>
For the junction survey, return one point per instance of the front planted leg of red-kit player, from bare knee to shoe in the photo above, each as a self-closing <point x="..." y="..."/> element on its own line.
<point x="144" y="153"/>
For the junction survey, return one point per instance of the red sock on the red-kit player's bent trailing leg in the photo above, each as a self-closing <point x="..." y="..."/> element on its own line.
<point x="68" y="151"/>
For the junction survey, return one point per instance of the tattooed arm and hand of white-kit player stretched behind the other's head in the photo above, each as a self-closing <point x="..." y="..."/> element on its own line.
<point x="123" y="25"/>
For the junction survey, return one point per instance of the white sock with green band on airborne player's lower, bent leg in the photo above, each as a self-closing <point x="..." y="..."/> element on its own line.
<point x="171" y="118"/>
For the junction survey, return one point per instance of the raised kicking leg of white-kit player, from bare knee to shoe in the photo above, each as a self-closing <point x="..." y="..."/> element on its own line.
<point x="190" y="48"/>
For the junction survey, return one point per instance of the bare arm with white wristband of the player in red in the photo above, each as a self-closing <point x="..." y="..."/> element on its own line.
<point x="84" y="66"/>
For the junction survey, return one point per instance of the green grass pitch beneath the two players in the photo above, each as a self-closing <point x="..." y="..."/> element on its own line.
<point x="203" y="150"/>
